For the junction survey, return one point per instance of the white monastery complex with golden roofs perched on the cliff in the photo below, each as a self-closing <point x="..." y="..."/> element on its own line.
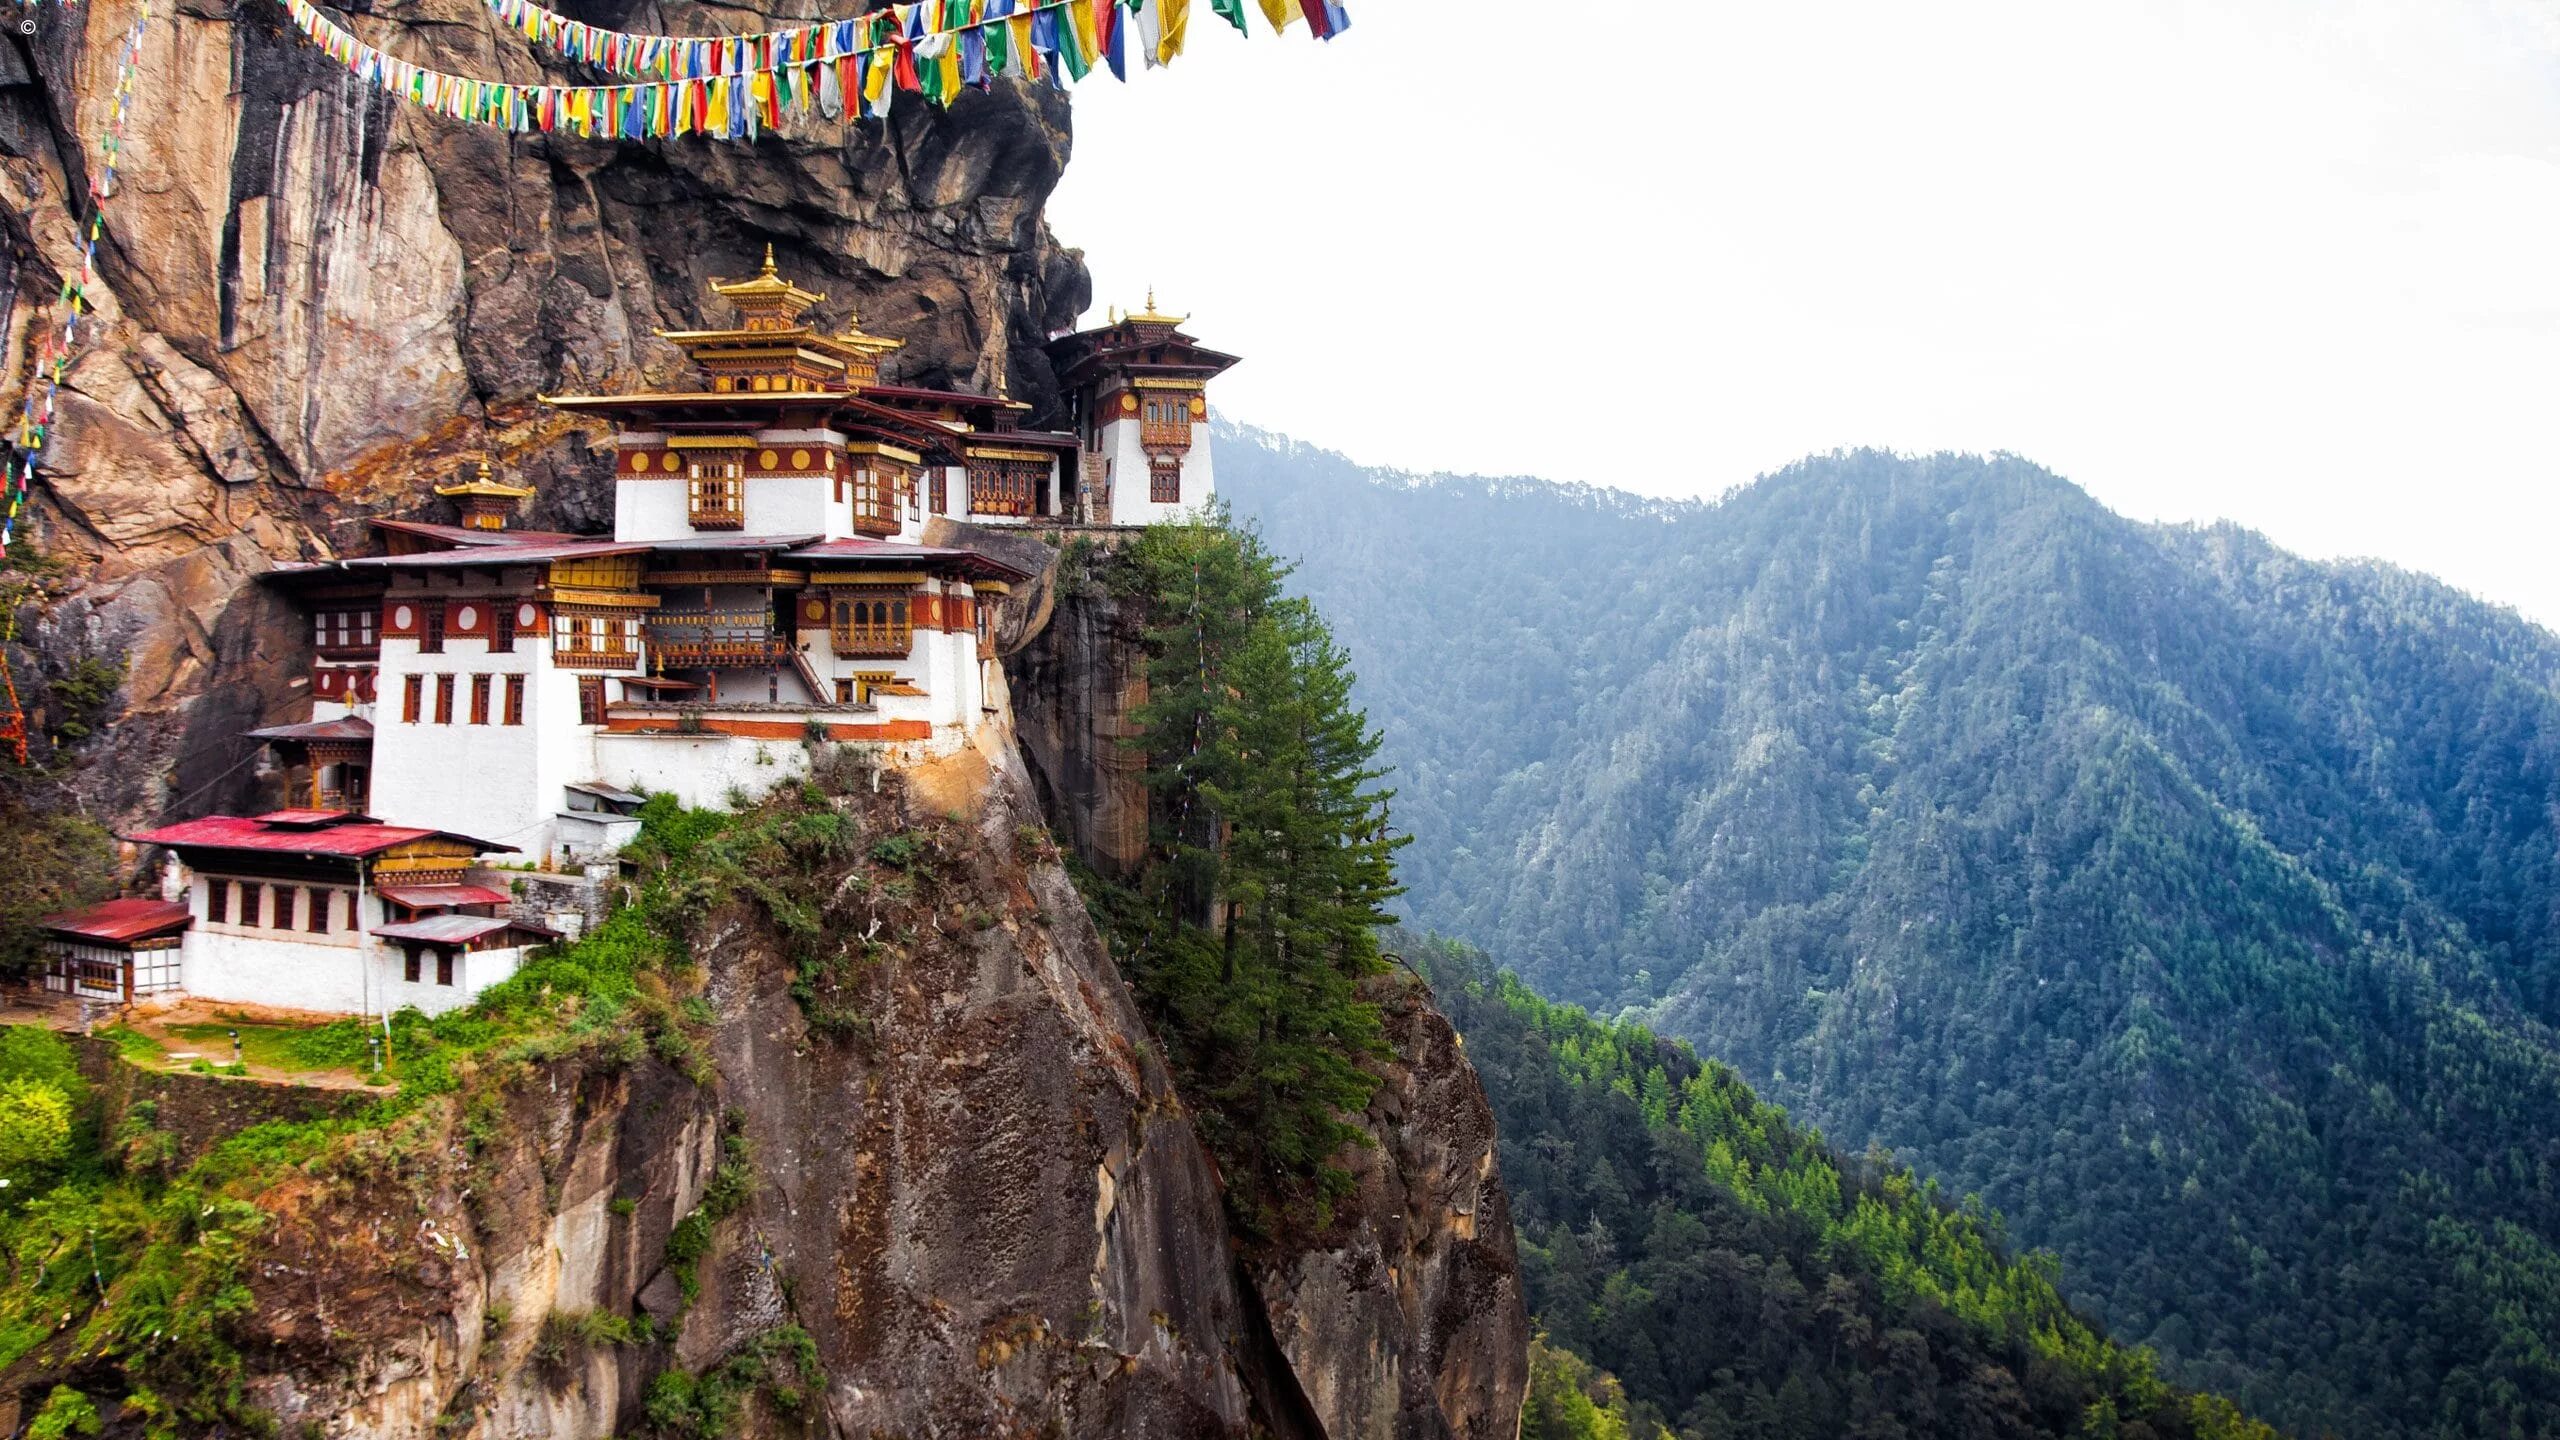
<point x="485" y="693"/>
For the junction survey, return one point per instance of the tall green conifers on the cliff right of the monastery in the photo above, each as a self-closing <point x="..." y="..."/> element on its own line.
<point x="1261" y="919"/>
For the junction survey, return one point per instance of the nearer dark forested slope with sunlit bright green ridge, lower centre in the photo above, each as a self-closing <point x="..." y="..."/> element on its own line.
<point x="1742" y="1280"/>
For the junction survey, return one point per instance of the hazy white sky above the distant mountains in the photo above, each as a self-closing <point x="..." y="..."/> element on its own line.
<point x="2290" y="263"/>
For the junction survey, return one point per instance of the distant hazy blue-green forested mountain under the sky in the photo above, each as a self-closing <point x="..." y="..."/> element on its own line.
<point x="2190" y="901"/>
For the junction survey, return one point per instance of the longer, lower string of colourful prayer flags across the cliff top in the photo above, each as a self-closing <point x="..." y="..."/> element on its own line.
<point x="744" y="86"/>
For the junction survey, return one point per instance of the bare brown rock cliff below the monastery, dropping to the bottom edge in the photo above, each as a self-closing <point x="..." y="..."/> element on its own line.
<point x="984" y="1206"/>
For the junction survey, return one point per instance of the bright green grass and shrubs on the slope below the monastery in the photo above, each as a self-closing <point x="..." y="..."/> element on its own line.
<point x="142" y="1272"/>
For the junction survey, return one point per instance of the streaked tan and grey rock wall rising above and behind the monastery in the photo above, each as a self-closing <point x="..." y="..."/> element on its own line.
<point x="314" y="304"/>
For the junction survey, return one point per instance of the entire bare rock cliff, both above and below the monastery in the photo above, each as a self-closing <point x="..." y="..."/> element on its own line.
<point x="982" y="1200"/>
